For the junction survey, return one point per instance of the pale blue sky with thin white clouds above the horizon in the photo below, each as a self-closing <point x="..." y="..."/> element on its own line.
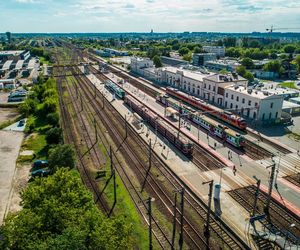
<point x="144" y="15"/>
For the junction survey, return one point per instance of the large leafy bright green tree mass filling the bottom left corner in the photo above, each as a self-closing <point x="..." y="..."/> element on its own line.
<point x="59" y="213"/>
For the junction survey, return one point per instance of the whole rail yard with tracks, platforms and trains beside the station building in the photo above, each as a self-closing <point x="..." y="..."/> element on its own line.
<point x="165" y="147"/>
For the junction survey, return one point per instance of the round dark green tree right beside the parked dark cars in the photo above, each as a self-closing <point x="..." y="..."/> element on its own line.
<point x="62" y="156"/>
